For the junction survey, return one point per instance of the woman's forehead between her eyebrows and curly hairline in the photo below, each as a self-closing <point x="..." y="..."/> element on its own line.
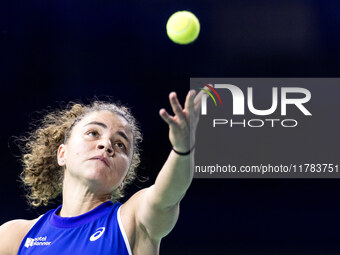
<point x="110" y="119"/>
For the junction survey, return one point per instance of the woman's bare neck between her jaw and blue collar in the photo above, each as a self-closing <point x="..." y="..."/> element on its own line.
<point x="78" y="198"/>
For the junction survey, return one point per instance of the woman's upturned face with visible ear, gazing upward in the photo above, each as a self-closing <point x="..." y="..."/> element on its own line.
<point x="99" y="151"/>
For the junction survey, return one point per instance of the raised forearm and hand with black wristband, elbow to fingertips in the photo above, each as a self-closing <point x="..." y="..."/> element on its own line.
<point x="176" y="175"/>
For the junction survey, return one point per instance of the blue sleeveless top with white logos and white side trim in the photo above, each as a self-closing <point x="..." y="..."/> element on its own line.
<point x="99" y="231"/>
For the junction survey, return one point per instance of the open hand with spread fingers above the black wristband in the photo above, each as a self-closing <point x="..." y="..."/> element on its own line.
<point x="182" y="126"/>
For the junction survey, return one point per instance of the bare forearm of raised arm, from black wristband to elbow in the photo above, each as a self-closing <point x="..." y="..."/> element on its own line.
<point x="173" y="180"/>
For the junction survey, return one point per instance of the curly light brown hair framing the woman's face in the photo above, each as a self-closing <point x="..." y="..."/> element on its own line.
<point x="41" y="175"/>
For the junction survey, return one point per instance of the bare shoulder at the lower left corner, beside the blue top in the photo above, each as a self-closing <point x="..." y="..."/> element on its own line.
<point x="12" y="233"/>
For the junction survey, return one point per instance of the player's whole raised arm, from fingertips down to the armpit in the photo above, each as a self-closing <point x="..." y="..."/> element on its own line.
<point x="157" y="207"/>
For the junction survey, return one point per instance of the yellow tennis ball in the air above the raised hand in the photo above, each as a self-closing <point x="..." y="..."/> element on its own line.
<point x="183" y="27"/>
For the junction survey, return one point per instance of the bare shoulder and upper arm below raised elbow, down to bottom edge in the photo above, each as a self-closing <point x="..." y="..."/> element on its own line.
<point x="145" y="222"/>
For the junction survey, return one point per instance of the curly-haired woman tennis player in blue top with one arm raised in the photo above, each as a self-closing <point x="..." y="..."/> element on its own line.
<point x="88" y="153"/>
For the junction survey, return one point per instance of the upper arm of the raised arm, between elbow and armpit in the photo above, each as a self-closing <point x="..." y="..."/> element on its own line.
<point x="150" y="219"/>
